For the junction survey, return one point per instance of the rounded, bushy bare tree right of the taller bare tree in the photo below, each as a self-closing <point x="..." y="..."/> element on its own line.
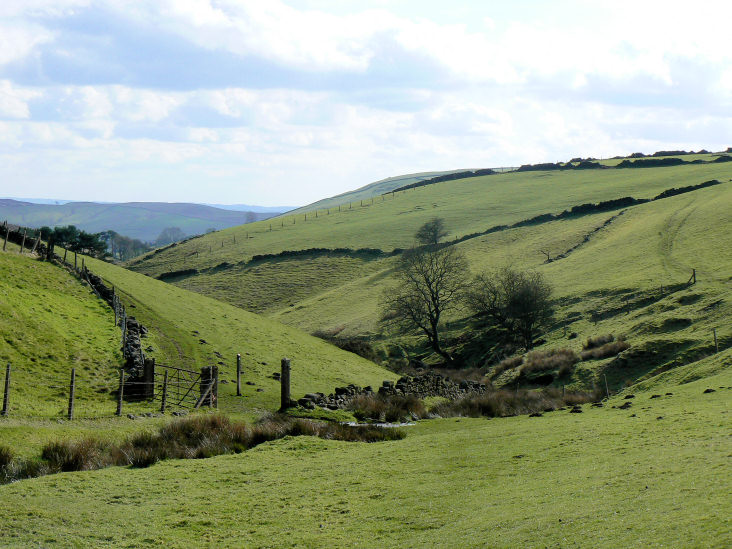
<point x="518" y="301"/>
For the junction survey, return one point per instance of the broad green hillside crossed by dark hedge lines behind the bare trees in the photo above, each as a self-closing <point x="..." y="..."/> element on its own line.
<point x="631" y="259"/>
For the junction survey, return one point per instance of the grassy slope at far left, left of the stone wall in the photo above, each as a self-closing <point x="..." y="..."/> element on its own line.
<point x="50" y="323"/>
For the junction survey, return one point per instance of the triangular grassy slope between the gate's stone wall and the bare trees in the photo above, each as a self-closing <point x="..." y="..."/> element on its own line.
<point x="173" y="314"/>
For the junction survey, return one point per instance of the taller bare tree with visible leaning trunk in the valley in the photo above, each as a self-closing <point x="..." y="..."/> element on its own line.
<point x="431" y="281"/>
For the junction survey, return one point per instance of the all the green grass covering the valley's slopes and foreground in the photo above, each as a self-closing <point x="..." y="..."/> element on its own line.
<point x="654" y="475"/>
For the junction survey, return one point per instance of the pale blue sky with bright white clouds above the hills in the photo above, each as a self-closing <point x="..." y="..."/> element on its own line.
<point x="284" y="102"/>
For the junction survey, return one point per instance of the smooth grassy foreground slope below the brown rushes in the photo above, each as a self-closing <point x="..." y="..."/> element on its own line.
<point x="652" y="476"/>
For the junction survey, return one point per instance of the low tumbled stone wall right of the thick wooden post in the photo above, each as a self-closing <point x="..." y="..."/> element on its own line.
<point x="422" y="385"/>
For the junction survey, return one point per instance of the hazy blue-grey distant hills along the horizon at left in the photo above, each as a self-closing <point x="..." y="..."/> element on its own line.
<point x="143" y="220"/>
